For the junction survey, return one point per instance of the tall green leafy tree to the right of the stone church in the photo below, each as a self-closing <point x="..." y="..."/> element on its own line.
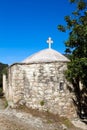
<point x="76" y="48"/>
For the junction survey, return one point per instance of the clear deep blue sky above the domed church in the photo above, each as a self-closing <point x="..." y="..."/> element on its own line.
<point x="25" y="25"/>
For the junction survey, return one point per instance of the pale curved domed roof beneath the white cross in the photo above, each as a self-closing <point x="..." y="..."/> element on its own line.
<point x="46" y="55"/>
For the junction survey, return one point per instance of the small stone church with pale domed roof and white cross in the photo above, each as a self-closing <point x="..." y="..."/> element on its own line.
<point x="39" y="82"/>
